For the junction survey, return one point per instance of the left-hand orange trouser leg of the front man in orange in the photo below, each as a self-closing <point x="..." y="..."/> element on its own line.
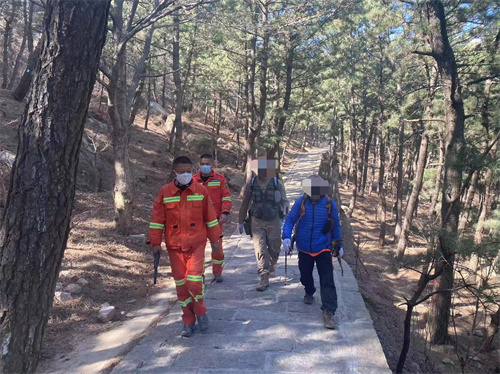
<point x="178" y="263"/>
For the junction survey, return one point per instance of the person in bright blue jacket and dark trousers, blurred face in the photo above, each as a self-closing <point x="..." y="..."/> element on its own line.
<point x="315" y="218"/>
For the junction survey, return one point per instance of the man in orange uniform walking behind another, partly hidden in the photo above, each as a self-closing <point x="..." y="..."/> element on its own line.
<point x="221" y="199"/>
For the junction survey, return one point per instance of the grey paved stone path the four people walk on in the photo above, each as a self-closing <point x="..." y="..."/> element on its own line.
<point x="265" y="332"/>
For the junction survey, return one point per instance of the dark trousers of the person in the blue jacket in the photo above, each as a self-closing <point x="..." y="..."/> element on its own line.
<point x="325" y="270"/>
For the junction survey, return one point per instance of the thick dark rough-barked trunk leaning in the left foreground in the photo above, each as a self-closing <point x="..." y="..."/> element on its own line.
<point x="33" y="236"/>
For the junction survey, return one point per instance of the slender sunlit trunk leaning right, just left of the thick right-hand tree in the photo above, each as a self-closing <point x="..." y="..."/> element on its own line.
<point x="412" y="201"/>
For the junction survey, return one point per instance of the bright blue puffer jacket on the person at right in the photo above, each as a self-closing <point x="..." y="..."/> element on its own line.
<point x="308" y="234"/>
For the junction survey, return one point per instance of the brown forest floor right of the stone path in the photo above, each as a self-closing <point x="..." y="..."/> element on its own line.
<point x="384" y="286"/>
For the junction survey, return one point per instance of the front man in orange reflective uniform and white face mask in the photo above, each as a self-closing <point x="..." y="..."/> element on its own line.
<point x="183" y="210"/>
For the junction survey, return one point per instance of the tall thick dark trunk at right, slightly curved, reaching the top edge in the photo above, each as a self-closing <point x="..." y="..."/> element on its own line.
<point x="452" y="181"/>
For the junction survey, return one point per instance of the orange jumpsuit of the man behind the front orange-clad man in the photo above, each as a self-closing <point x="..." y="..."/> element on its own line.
<point x="221" y="199"/>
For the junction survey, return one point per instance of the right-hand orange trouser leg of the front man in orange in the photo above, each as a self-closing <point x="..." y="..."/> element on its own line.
<point x="194" y="278"/>
